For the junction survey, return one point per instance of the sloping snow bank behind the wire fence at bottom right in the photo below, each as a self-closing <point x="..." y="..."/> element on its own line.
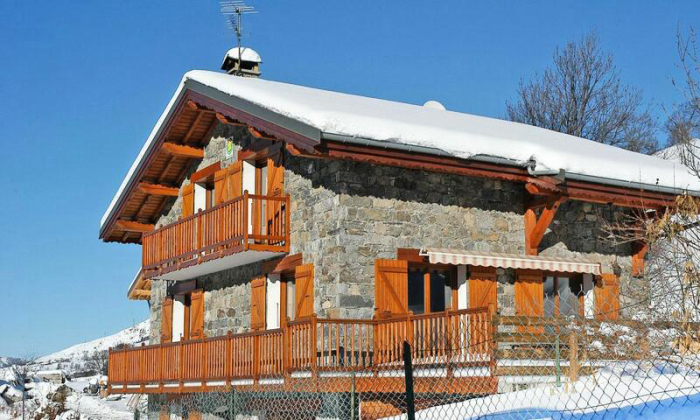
<point x="622" y="390"/>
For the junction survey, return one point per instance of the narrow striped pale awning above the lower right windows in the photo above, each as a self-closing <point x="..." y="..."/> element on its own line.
<point x="491" y="259"/>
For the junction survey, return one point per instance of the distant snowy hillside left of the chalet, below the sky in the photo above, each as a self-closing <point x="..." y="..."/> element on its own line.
<point x="73" y="359"/>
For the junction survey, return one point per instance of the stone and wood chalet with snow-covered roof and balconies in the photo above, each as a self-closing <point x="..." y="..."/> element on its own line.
<point x="286" y="231"/>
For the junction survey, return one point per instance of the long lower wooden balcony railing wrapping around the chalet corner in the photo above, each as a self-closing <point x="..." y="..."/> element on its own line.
<point x="455" y="344"/>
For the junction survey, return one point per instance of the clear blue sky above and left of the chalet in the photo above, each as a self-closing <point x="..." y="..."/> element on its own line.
<point x="82" y="83"/>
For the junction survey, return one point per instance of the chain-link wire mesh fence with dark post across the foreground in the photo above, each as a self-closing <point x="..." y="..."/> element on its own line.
<point x="452" y="365"/>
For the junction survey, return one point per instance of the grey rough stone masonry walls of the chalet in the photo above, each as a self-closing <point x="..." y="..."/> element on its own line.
<point x="346" y="214"/>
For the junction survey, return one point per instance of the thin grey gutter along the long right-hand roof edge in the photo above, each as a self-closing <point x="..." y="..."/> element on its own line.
<point x="508" y="162"/>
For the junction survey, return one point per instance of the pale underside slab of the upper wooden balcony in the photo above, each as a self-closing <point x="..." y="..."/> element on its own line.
<point x="218" y="264"/>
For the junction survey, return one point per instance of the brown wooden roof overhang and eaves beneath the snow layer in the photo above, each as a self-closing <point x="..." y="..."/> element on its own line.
<point x="193" y="97"/>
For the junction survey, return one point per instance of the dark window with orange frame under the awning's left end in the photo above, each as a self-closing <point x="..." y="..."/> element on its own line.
<point x="430" y="289"/>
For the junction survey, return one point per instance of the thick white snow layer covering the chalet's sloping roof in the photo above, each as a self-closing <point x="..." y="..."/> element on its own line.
<point x="455" y="133"/>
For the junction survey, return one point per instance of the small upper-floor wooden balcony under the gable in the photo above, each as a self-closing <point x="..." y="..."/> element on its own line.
<point x="240" y="231"/>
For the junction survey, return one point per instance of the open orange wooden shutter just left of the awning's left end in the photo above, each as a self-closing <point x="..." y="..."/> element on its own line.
<point x="391" y="286"/>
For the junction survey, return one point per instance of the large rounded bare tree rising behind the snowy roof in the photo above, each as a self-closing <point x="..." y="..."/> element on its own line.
<point x="582" y="95"/>
